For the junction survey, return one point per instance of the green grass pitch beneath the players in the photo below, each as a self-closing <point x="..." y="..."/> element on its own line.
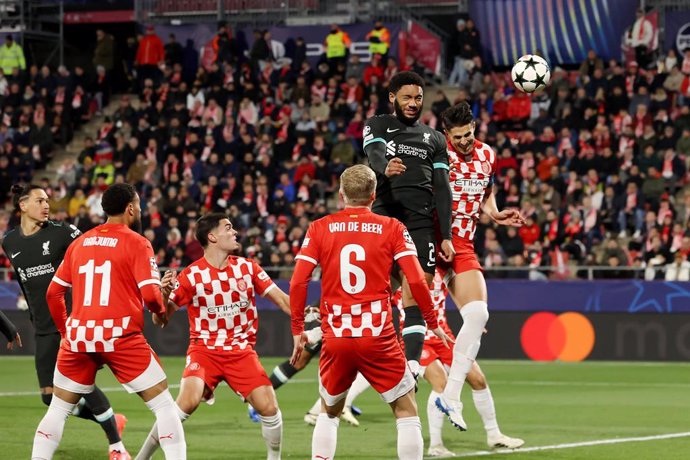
<point x="591" y="410"/>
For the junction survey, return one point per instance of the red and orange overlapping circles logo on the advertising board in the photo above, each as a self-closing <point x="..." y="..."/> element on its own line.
<point x="547" y="336"/>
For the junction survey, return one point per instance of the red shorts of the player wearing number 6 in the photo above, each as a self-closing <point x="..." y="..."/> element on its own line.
<point x="380" y="360"/>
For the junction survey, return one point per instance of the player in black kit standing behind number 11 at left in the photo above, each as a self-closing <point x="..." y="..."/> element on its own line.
<point x="36" y="248"/>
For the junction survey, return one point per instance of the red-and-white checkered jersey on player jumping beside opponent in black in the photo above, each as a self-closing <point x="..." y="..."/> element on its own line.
<point x="469" y="181"/>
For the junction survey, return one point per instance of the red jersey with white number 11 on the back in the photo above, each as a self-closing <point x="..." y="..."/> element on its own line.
<point x="106" y="268"/>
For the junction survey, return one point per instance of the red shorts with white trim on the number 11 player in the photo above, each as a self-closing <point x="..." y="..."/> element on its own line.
<point x="134" y="364"/>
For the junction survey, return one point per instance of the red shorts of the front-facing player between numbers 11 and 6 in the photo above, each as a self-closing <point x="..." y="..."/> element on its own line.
<point x="240" y="369"/>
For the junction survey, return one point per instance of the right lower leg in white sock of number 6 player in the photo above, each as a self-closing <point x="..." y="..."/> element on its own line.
<point x="410" y="441"/>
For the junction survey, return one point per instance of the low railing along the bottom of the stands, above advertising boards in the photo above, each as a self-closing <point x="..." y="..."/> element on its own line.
<point x="564" y="273"/>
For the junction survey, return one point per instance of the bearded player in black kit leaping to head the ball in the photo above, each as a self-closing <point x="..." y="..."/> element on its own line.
<point x="411" y="164"/>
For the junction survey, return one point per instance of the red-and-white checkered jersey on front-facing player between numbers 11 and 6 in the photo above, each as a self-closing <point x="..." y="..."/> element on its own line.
<point x="221" y="304"/>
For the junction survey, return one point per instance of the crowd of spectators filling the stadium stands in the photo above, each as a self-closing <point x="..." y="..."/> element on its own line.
<point x="598" y="163"/>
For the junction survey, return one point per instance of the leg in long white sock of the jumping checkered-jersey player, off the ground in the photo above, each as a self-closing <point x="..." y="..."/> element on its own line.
<point x="468" y="291"/>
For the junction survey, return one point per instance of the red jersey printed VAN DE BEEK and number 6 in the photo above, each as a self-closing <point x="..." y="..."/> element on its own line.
<point x="356" y="250"/>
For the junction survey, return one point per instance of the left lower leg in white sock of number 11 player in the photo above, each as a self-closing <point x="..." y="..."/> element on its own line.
<point x="50" y="429"/>
